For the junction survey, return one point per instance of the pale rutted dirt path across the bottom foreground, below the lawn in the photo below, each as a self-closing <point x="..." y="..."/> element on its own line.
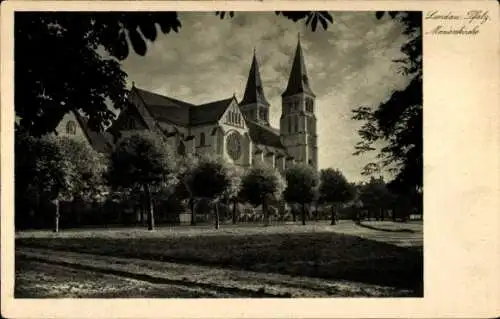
<point x="126" y="277"/>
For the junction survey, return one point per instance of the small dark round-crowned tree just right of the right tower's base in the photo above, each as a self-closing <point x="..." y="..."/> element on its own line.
<point x="334" y="188"/>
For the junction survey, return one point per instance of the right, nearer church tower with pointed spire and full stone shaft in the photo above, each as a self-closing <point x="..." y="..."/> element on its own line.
<point x="298" y="120"/>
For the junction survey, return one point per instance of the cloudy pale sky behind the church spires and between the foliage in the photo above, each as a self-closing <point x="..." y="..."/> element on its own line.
<point x="349" y="65"/>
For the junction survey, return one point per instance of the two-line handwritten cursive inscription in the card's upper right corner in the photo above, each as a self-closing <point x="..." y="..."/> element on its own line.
<point x="453" y="23"/>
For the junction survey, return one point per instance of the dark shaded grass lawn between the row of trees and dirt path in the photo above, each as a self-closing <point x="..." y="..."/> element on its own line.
<point x="312" y="250"/>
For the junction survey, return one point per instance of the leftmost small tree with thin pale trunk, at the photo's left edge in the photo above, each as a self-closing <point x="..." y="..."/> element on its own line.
<point x="42" y="174"/>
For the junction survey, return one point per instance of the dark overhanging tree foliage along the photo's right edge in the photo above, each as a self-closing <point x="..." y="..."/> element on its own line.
<point x="397" y="122"/>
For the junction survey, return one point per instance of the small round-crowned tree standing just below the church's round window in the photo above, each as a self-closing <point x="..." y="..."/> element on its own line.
<point x="212" y="178"/>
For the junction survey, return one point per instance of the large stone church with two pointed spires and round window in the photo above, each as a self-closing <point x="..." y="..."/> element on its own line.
<point x="238" y="131"/>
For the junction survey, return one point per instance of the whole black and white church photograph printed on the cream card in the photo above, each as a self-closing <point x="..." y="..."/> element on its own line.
<point x="219" y="154"/>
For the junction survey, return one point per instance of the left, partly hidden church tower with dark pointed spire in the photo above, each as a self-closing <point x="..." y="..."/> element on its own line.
<point x="254" y="105"/>
